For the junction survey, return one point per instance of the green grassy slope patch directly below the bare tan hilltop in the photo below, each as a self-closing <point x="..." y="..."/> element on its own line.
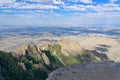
<point x="66" y="59"/>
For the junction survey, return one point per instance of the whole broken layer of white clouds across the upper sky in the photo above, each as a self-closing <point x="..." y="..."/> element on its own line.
<point x="40" y="8"/>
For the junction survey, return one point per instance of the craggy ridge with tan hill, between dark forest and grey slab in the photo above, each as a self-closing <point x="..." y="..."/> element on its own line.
<point x="63" y="53"/>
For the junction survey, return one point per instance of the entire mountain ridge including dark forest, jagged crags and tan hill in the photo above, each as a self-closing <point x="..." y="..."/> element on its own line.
<point x="36" y="62"/>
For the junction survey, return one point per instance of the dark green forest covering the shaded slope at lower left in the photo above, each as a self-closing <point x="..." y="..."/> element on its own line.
<point x="12" y="71"/>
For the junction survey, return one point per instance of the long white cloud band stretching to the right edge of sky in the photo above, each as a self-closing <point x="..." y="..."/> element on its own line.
<point x="98" y="8"/>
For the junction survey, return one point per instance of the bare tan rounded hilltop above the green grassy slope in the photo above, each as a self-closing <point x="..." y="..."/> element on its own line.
<point x="70" y="47"/>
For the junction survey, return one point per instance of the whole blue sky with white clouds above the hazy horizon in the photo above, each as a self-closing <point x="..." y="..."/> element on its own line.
<point x="78" y="13"/>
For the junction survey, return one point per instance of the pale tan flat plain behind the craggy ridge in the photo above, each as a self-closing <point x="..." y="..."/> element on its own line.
<point x="107" y="44"/>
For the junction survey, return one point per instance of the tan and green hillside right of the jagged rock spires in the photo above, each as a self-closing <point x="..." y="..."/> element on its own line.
<point x="68" y="52"/>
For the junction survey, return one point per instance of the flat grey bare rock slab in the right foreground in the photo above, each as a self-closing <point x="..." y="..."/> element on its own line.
<point x="88" y="71"/>
